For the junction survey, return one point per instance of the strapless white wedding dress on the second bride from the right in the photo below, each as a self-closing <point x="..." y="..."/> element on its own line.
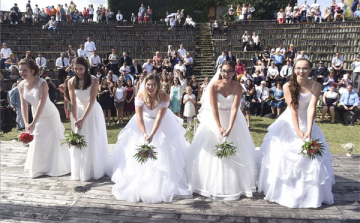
<point x="226" y="178"/>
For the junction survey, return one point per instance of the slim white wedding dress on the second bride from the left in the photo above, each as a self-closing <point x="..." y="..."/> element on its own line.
<point x="89" y="162"/>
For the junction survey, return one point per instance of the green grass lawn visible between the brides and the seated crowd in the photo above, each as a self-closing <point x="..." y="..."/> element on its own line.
<point x="335" y="134"/>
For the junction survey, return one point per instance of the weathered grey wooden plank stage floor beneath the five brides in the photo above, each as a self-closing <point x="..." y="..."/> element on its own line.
<point x="51" y="199"/>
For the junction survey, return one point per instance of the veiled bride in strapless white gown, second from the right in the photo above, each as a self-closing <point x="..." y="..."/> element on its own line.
<point x="208" y="175"/>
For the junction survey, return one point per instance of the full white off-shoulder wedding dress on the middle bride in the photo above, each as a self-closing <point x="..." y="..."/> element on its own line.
<point x="154" y="181"/>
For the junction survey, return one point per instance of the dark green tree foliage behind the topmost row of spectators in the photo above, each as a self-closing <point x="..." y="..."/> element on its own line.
<point x="198" y="9"/>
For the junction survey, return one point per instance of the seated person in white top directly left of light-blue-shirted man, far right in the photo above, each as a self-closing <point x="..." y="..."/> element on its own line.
<point x="330" y="99"/>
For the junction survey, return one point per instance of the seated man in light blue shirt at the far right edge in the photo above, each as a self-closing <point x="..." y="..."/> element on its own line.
<point x="349" y="101"/>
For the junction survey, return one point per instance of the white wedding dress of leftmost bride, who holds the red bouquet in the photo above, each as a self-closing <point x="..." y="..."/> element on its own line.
<point x="46" y="156"/>
